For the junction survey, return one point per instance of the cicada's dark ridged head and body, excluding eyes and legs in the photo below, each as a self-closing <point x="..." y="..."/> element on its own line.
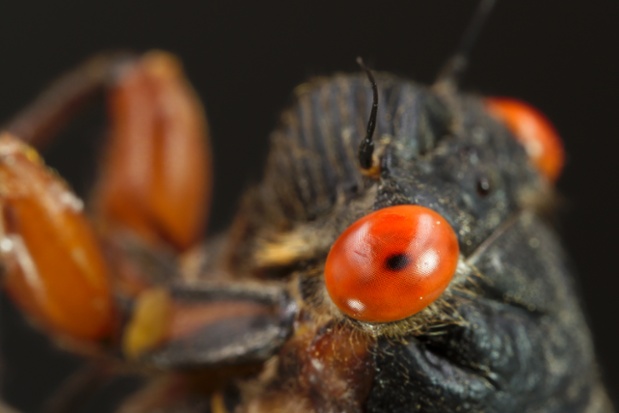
<point x="507" y="336"/>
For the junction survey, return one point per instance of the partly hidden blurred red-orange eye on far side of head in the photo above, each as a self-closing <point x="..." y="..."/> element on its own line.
<point x="534" y="131"/>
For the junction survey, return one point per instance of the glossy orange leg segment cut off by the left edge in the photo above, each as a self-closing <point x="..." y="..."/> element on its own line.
<point x="54" y="267"/>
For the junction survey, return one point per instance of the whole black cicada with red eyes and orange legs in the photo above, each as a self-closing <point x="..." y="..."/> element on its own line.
<point x="402" y="266"/>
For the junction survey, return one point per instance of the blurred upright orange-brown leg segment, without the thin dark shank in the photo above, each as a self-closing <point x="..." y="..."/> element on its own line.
<point x="156" y="177"/>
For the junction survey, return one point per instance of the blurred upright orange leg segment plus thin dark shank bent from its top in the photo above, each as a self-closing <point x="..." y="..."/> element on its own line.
<point x="155" y="181"/>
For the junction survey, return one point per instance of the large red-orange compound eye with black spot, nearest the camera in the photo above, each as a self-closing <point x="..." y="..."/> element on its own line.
<point x="391" y="263"/>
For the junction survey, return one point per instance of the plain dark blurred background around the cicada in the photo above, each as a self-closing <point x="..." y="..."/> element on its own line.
<point x="244" y="59"/>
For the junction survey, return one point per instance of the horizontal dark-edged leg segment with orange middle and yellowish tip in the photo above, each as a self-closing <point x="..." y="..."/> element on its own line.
<point x="208" y="324"/>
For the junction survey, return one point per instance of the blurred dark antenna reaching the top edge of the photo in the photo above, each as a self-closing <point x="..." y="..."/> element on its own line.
<point x="451" y="72"/>
